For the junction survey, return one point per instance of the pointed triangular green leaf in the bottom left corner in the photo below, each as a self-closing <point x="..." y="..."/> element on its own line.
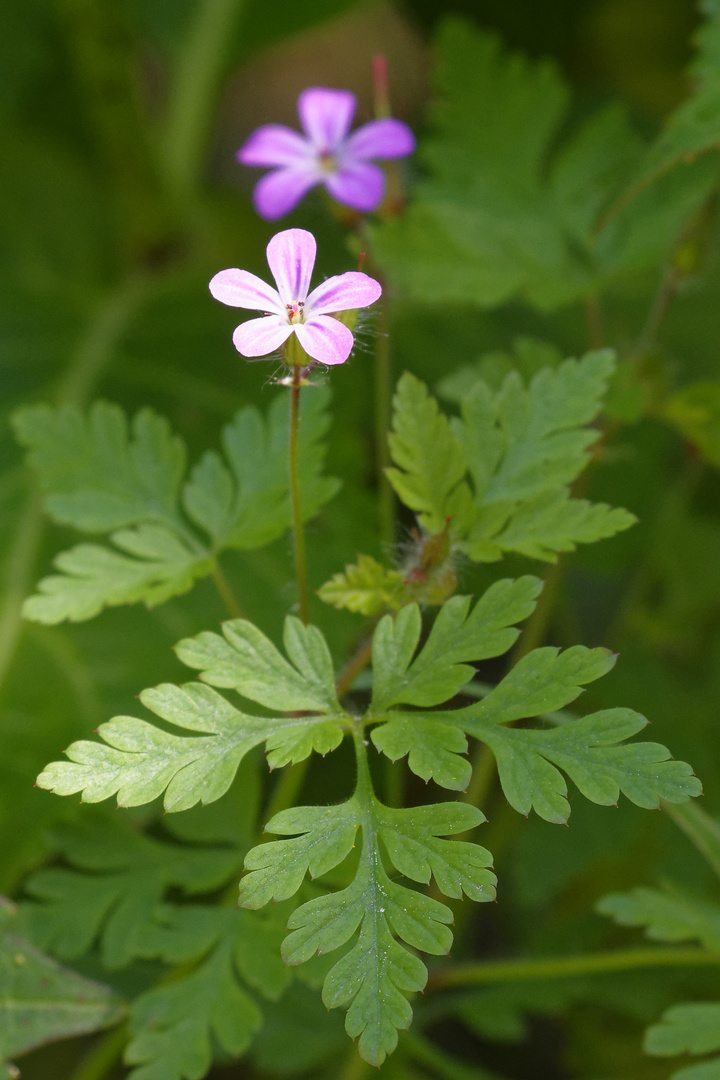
<point x="42" y="1002"/>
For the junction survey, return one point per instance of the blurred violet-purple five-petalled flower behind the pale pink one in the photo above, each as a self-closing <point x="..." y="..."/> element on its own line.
<point x="325" y="154"/>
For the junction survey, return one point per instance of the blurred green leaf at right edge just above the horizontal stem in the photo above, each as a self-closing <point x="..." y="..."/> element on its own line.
<point x="668" y="915"/>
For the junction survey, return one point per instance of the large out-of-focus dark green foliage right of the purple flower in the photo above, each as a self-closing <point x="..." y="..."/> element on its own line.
<point x="513" y="205"/>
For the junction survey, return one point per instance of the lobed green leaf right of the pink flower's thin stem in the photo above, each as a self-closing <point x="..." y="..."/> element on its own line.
<point x="522" y="448"/>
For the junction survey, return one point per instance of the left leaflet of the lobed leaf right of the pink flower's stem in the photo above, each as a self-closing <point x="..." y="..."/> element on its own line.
<point x="430" y="461"/>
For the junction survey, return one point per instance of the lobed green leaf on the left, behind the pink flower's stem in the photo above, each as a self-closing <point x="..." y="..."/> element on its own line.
<point x="101" y="478"/>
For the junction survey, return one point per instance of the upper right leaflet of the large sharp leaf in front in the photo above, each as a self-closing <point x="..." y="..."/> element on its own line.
<point x="458" y="636"/>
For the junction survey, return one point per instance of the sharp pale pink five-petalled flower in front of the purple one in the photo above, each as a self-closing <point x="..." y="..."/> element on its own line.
<point x="289" y="309"/>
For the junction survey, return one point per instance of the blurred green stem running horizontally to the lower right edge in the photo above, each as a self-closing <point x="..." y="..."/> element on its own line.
<point x="565" y="967"/>
